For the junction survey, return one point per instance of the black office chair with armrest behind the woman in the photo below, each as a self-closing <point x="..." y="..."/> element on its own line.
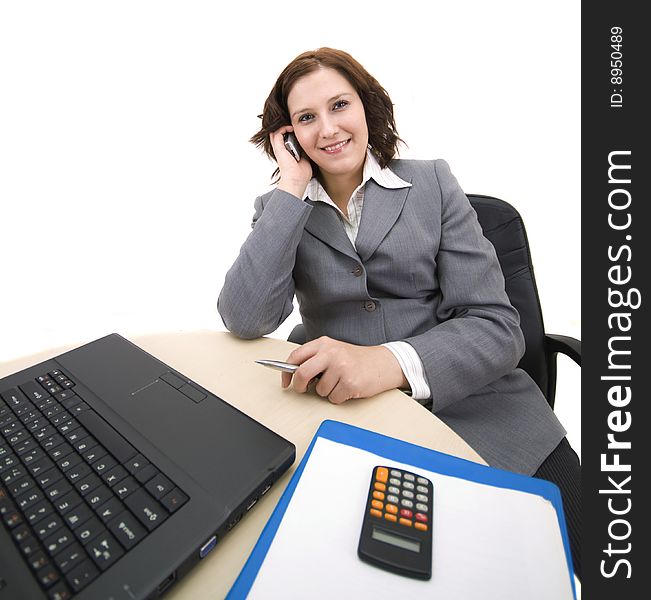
<point x="503" y="226"/>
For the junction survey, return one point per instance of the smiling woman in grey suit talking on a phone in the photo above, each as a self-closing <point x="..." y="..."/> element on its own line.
<point x="396" y="284"/>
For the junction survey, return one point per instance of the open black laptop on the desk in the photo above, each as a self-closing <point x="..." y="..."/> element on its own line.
<point x="118" y="474"/>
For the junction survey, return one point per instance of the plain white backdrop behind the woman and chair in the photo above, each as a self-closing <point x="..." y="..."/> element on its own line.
<point x="127" y="182"/>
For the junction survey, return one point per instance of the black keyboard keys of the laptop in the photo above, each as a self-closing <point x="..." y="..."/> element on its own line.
<point x="74" y="494"/>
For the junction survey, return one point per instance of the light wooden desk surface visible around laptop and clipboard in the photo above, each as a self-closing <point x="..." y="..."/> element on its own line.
<point x="224" y="364"/>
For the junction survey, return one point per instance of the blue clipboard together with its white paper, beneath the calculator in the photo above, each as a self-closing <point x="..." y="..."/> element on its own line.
<point x="495" y="534"/>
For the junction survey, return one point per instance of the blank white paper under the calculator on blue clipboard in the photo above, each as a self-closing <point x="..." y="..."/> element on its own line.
<point x="488" y="542"/>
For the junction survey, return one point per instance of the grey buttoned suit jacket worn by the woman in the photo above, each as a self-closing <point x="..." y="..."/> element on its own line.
<point x="423" y="273"/>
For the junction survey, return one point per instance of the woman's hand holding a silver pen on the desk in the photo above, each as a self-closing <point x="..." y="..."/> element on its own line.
<point x="346" y="371"/>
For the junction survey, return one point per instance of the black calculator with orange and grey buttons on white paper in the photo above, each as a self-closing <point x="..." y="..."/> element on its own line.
<point x="397" y="525"/>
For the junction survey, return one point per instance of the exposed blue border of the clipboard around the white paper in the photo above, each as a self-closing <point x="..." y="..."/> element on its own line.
<point x="397" y="450"/>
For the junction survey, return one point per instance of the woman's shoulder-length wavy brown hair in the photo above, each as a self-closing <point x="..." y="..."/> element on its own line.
<point x="382" y="135"/>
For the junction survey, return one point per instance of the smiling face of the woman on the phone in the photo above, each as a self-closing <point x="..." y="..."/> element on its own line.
<point x="329" y="121"/>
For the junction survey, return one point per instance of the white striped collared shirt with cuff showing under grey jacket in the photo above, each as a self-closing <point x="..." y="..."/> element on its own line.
<point x="406" y="355"/>
